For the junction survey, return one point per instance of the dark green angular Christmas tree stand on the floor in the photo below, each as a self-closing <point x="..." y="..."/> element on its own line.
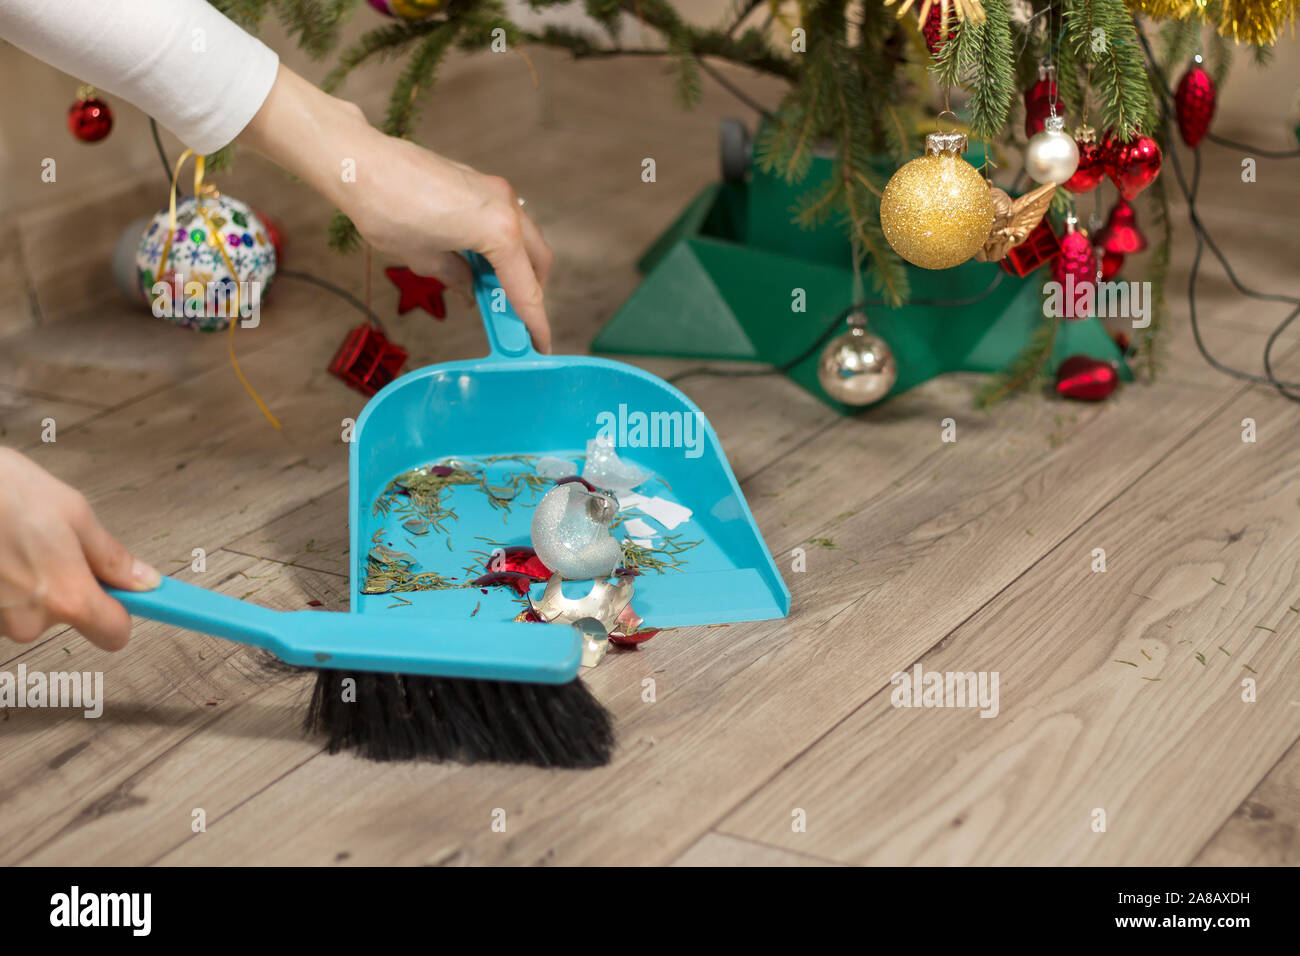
<point x="721" y="283"/>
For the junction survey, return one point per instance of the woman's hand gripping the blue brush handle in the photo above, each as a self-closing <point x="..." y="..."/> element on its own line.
<point x="53" y="551"/>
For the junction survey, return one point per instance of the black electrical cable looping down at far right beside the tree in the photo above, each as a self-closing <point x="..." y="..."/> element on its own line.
<point x="1204" y="240"/>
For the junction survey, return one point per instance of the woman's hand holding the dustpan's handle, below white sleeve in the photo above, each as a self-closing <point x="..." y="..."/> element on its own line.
<point x="410" y="204"/>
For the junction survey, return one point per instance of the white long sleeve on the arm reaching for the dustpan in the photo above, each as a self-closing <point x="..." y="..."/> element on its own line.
<point x="181" y="62"/>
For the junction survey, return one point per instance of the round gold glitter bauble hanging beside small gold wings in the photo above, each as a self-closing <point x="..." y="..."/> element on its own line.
<point x="937" y="210"/>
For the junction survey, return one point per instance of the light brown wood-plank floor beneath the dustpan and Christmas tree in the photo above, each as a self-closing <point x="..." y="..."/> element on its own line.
<point x="969" y="556"/>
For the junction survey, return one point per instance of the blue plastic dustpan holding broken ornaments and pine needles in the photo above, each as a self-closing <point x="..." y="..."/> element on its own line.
<point x="518" y="403"/>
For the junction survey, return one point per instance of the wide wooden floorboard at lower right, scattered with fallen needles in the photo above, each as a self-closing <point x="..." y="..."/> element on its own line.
<point x="1119" y="691"/>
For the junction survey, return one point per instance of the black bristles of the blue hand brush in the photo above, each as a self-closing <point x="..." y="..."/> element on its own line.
<point x="404" y="717"/>
